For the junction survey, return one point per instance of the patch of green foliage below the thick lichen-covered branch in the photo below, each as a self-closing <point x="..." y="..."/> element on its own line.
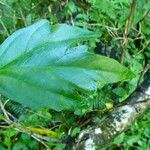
<point x="137" y="136"/>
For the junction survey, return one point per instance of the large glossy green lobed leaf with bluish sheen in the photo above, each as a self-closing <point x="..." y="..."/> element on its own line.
<point x="39" y="67"/>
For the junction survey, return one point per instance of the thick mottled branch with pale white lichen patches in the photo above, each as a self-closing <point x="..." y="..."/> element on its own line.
<point x="96" y="136"/>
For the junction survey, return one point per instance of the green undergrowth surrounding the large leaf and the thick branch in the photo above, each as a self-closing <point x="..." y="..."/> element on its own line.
<point x="123" y="26"/>
